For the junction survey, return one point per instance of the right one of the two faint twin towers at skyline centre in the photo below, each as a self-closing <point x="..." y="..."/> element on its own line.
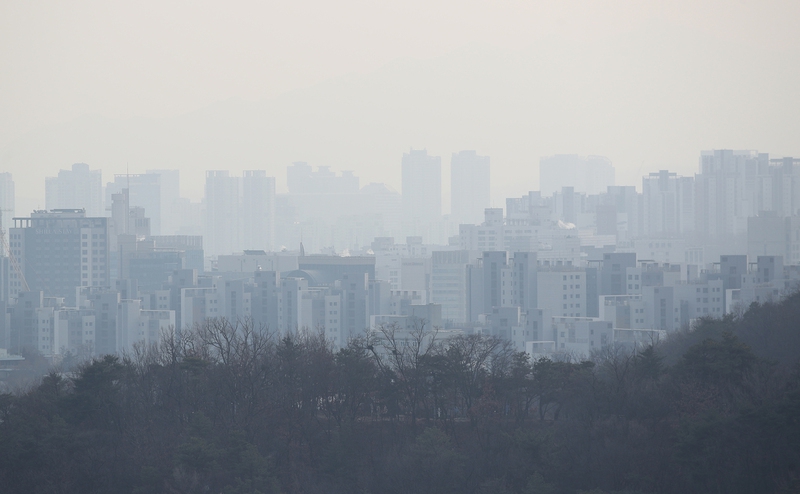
<point x="469" y="187"/>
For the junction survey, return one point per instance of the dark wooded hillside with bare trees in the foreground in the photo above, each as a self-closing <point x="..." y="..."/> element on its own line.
<point x="231" y="408"/>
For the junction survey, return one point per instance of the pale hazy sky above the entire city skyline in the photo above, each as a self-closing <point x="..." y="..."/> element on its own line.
<point x="353" y="85"/>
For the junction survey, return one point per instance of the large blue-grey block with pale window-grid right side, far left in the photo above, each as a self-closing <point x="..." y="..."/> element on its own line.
<point x="61" y="250"/>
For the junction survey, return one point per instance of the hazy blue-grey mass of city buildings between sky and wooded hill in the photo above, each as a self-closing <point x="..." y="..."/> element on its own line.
<point x="577" y="265"/>
